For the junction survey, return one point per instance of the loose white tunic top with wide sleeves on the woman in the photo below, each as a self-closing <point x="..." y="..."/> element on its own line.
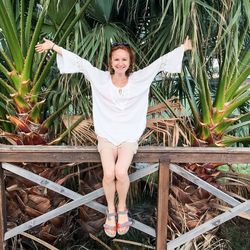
<point x="119" y="114"/>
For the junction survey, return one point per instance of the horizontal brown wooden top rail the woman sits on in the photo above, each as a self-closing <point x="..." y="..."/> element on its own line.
<point x="145" y="154"/>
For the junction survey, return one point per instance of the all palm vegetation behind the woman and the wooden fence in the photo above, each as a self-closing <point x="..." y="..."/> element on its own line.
<point x="206" y="105"/>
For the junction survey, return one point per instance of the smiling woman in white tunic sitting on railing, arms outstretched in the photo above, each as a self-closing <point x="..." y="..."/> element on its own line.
<point x="120" y="101"/>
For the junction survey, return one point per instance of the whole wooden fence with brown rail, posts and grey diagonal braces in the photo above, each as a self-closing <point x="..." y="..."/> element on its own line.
<point x="145" y="154"/>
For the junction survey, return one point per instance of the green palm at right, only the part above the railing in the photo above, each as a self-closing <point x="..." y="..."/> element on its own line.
<point x="214" y="80"/>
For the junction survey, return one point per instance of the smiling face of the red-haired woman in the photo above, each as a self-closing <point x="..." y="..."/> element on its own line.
<point x="120" y="61"/>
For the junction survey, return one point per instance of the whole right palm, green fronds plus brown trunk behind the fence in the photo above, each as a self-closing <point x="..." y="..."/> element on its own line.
<point x="213" y="87"/>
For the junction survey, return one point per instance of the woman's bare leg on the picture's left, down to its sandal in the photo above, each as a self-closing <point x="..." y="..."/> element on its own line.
<point x="108" y="158"/>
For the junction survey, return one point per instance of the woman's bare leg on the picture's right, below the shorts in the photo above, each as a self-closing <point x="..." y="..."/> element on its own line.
<point x="125" y="156"/>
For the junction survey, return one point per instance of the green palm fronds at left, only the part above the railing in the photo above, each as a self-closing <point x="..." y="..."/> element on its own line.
<point x="24" y="92"/>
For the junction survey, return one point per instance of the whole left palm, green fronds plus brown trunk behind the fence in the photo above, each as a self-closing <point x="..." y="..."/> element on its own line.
<point x="25" y="85"/>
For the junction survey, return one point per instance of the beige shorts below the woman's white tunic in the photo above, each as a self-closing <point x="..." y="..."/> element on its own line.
<point x="104" y="143"/>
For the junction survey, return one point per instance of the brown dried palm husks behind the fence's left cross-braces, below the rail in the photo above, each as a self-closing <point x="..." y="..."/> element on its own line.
<point x="27" y="200"/>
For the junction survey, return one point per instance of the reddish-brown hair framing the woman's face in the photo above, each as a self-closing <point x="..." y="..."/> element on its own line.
<point x="131" y="57"/>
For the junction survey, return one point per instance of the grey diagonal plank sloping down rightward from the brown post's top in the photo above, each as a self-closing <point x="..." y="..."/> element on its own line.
<point x="205" y="185"/>
